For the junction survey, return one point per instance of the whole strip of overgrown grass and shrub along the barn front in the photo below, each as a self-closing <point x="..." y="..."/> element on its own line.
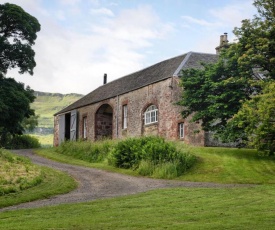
<point x="148" y="156"/>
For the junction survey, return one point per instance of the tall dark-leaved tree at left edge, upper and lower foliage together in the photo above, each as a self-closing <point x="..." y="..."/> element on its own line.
<point x="17" y="35"/>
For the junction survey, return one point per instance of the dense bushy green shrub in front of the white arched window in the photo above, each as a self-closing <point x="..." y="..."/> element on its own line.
<point x="151" y="156"/>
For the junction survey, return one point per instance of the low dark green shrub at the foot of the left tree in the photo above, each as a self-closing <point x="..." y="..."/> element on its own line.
<point x="22" y="142"/>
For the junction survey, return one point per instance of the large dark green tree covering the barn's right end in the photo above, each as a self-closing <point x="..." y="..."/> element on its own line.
<point x="217" y="92"/>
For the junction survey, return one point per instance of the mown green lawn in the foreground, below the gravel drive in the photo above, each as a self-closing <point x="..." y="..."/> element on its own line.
<point x="181" y="208"/>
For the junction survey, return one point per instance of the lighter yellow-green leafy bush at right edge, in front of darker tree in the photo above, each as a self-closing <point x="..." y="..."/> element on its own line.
<point x="257" y="118"/>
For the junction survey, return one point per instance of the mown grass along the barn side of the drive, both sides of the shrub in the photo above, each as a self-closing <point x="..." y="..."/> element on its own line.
<point x="220" y="165"/>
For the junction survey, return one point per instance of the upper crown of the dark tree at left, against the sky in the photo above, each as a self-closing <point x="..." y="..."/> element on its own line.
<point x="17" y="35"/>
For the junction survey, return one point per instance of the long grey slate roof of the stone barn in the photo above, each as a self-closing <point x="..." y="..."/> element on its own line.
<point x="139" y="79"/>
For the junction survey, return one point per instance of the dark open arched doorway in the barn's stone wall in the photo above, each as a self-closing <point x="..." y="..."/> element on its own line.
<point x="104" y="122"/>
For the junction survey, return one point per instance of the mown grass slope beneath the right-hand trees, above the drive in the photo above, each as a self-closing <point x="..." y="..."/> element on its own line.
<point x="231" y="165"/>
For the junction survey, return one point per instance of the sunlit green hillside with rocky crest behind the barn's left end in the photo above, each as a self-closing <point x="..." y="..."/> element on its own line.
<point x="47" y="104"/>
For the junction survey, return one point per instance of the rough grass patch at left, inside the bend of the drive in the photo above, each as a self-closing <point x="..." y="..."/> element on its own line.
<point x="21" y="181"/>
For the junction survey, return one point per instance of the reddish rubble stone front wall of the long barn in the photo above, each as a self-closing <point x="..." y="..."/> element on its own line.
<point x="163" y="94"/>
